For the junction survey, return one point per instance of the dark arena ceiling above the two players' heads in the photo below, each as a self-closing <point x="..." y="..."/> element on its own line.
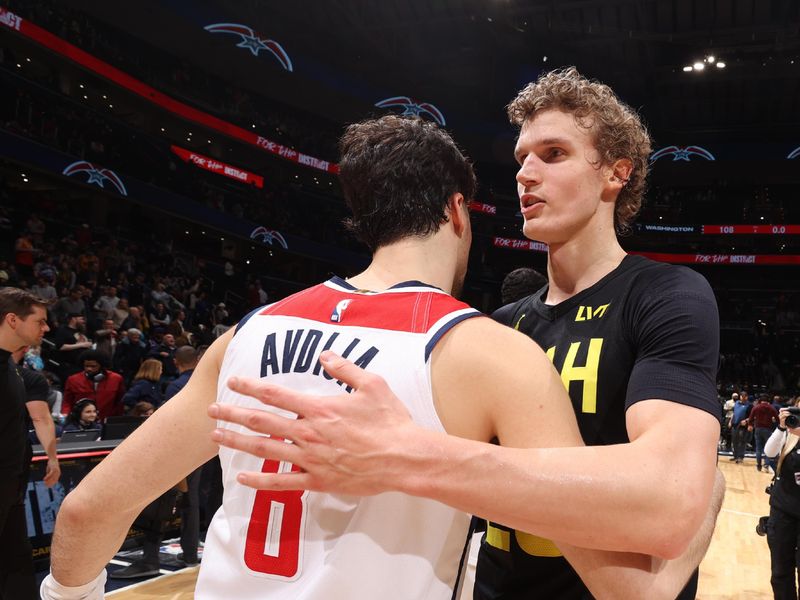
<point x="468" y="58"/>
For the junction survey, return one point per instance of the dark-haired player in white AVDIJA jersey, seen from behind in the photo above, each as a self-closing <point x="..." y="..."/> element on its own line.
<point x="407" y="185"/>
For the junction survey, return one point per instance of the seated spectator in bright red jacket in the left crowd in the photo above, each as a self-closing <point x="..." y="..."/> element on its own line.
<point x="97" y="383"/>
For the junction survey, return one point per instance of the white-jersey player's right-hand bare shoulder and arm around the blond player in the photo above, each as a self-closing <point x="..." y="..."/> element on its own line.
<point x="509" y="402"/>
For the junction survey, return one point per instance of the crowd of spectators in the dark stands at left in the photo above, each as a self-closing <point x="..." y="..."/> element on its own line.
<point x="125" y="319"/>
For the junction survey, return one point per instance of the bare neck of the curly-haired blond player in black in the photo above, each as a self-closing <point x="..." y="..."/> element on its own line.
<point x="581" y="262"/>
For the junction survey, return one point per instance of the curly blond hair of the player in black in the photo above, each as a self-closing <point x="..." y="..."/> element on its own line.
<point x="615" y="128"/>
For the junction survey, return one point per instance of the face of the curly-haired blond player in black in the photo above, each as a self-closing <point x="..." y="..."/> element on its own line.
<point x="564" y="190"/>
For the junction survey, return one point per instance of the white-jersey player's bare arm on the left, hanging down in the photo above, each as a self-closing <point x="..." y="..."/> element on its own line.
<point x="95" y="516"/>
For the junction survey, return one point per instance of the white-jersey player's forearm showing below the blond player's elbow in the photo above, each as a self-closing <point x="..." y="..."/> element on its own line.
<point x="619" y="576"/>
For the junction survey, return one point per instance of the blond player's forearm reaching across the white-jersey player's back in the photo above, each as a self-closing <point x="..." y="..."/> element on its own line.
<point x="621" y="498"/>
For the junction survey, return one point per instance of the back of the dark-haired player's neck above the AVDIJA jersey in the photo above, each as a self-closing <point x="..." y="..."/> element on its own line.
<point x="408" y="260"/>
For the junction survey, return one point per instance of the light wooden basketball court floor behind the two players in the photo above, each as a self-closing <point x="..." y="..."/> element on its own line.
<point x="736" y="566"/>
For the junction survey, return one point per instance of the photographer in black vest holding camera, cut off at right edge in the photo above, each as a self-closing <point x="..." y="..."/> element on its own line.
<point x="783" y="527"/>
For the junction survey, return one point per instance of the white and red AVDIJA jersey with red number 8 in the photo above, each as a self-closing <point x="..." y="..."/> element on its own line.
<point x="308" y="545"/>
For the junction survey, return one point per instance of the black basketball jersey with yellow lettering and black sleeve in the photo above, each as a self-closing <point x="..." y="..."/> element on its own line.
<point x="629" y="337"/>
